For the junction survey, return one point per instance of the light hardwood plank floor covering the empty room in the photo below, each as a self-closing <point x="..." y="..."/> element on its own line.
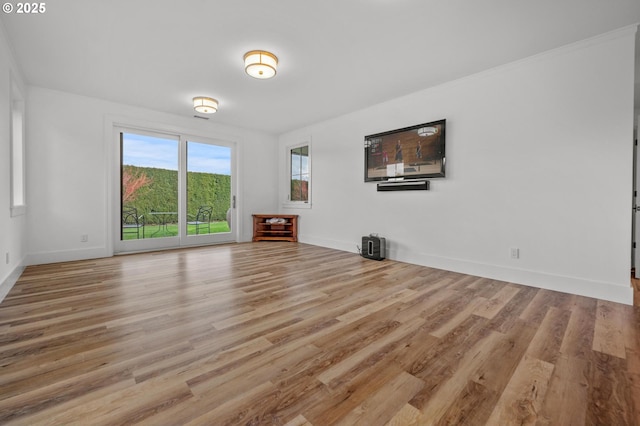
<point x="285" y="333"/>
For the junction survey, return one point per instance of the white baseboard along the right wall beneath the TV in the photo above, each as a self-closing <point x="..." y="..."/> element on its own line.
<point x="614" y="292"/>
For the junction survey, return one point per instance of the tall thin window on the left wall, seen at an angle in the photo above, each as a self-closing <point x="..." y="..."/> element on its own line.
<point x="17" y="152"/>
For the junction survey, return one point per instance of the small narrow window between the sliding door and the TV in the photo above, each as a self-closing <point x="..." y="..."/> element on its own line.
<point x="299" y="178"/>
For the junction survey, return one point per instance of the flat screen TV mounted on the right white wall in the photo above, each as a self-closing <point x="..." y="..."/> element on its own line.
<point x="415" y="152"/>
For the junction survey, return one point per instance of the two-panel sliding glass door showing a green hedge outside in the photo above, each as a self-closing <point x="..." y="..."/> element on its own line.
<point x="173" y="191"/>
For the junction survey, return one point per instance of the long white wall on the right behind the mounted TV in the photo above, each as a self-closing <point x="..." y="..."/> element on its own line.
<point x="539" y="157"/>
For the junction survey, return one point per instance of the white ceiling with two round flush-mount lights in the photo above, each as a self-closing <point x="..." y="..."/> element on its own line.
<point x="336" y="56"/>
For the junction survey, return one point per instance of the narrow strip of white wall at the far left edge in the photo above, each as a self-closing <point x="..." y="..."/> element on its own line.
<point x="12" y="229"/>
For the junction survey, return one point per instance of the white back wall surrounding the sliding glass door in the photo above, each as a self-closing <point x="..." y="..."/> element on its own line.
<point x="69" y="158"/>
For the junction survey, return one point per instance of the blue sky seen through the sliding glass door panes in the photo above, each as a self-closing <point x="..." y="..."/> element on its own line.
<point x="162" y="153"/>
